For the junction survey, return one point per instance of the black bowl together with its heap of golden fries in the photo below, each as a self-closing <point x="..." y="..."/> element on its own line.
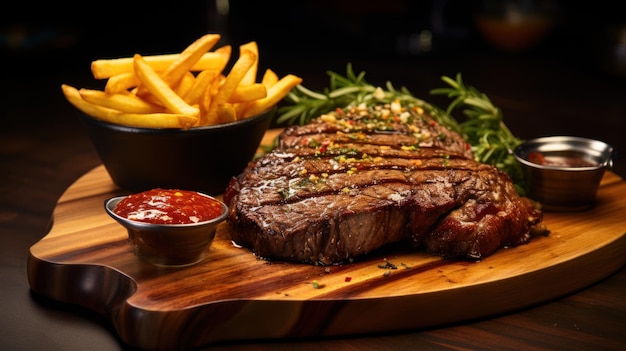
<point x="180" y="120"/>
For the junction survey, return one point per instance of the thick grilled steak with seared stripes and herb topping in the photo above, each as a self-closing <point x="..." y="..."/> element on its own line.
<point x="355" y="180"/>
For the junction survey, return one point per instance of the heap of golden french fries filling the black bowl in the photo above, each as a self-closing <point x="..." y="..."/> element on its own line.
<point x="183" y="90"/>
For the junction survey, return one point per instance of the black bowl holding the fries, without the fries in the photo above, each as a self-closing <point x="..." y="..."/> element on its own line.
<point x="201" y="158"/>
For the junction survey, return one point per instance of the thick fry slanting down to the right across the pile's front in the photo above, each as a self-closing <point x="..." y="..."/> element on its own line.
<point x="161" y="90"/>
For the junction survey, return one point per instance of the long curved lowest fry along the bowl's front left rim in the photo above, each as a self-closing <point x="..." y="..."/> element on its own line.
<point x="148" y="120"/>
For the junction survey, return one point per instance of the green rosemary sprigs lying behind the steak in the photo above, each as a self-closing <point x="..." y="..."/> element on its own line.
<point x="483" y="127"/>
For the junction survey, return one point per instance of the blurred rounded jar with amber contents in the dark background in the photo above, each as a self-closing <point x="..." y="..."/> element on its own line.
<point x="514" y="25"/>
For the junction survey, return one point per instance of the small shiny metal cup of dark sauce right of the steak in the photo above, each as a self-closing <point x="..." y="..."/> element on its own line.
<point x="563" y="187"/>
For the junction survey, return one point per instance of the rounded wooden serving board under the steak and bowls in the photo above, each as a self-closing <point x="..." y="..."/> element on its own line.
<point x="86" y="260"/>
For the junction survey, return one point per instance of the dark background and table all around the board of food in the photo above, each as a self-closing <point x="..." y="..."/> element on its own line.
<point x="571" y="82"/>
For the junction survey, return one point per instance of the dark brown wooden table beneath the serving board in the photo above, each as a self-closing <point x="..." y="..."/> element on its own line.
<point x="44" y="151"/>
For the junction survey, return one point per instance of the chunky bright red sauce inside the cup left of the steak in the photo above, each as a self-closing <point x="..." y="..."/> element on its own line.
<point x="174" y="206"/>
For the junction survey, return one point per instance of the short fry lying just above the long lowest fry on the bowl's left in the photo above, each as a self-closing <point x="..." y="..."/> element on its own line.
<point x="121" y="102"/>
